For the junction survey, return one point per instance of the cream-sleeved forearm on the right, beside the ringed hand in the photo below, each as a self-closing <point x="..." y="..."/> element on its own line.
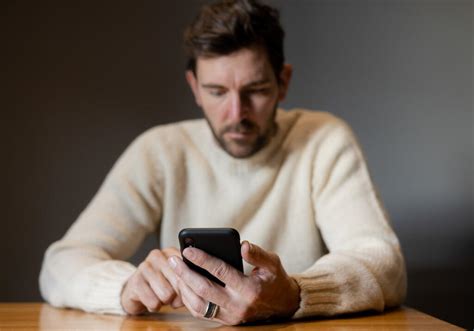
<point x="370" y="276"/>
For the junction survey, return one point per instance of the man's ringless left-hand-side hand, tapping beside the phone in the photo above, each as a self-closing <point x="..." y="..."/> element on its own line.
<point x="153" y="285"/>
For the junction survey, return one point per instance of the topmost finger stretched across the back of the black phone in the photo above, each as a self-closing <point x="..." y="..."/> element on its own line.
<point x="218" y="268"/>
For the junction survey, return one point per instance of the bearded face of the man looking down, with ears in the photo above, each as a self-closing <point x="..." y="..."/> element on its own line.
<point x="239" y="94"/>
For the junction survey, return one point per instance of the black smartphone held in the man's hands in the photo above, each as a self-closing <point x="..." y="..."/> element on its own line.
<point x="223" y="243"/>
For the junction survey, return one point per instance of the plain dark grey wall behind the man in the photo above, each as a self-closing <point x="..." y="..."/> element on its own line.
<point x="81" y="80"/>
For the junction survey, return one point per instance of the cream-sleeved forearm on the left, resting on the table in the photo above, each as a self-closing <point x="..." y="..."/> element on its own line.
<point x="87" y="280"/>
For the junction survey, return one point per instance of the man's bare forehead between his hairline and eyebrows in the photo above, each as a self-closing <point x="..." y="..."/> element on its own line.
<point x="239" y="67"/>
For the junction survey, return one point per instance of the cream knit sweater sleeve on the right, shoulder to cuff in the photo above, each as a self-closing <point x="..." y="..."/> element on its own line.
<point x="364" y="268"/>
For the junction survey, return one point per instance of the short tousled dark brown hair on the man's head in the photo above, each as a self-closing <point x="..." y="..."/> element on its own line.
<point x="227" y="26"/>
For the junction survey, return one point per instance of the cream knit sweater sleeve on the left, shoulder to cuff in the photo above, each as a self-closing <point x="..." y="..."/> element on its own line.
<point x="86" y="268"/>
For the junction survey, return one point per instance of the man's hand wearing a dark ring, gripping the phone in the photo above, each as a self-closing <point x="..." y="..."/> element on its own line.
<point x="268" y="292"/>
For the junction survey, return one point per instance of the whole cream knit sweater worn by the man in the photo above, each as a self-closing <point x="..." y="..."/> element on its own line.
<point x="306" y="196"/>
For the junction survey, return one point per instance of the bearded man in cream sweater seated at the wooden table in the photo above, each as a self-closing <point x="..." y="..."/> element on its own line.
<point x="295" y="185"/>
